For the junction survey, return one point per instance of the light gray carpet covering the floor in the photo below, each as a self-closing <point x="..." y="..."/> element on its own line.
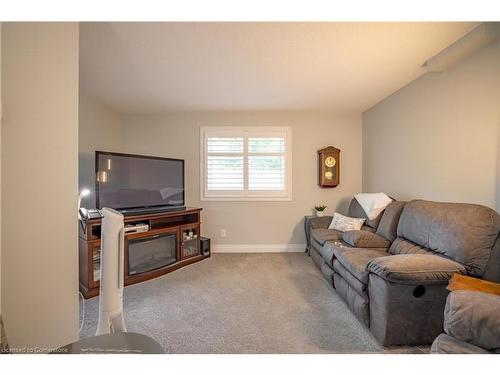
<point x="244" y="303"/>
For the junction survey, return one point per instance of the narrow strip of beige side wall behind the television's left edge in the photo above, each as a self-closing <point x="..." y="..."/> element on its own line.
<point x="99" y="129"/>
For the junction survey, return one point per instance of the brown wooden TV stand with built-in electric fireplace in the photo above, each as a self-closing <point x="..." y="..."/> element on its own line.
<point x="179" y="227"/>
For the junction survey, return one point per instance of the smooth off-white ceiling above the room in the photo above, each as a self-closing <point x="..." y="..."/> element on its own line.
<point x="161" y="67"/>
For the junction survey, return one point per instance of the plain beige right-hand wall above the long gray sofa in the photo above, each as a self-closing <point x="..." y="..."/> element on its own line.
<point x="438" y="137"/>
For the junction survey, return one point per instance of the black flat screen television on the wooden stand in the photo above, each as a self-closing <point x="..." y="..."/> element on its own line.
<point x="133" y="183"/>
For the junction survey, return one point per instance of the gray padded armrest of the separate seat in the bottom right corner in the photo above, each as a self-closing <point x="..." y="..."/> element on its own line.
<point x="473" y="317"/>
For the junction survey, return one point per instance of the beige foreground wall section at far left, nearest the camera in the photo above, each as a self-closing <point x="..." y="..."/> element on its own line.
<point x="39" y="184"/>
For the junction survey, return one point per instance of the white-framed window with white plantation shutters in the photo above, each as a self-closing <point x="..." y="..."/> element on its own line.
<point x="245" y="163"/>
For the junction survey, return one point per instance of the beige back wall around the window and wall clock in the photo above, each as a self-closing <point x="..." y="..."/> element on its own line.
<point x="262" y="223"/>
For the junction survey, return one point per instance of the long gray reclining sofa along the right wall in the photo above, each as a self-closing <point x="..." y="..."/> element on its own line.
<point x="393" y="273"/>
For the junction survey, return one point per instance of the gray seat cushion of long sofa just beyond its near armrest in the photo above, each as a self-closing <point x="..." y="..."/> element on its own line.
<point x="355" y="259"/>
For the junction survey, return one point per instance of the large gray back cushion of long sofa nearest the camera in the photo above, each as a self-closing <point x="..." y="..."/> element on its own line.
<point x="461" y="231"/>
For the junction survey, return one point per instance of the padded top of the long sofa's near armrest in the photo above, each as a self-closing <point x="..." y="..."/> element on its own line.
<point x="415" y="268"/>
